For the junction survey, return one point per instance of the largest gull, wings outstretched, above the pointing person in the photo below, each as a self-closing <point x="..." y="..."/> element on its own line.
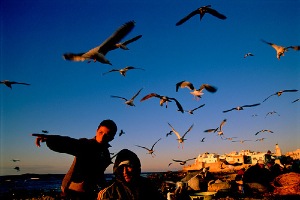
<point x="98" y="53"/>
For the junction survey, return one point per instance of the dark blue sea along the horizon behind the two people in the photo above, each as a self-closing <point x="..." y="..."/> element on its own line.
<point x="38" y="183"/>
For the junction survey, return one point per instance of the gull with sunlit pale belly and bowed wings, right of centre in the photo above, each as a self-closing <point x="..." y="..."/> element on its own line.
<point x="197" y="93"/>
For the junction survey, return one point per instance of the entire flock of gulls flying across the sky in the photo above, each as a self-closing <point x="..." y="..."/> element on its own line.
<point x="114" y="41"/>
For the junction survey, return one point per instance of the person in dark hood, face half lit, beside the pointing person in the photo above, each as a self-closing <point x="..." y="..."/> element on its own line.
<point x="128" y="183"/>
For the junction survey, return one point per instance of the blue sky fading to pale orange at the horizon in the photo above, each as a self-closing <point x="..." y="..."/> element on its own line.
<point x="71" y="98"/>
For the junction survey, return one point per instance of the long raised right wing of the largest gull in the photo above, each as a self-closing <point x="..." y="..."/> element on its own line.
<point x="116" y="37"/>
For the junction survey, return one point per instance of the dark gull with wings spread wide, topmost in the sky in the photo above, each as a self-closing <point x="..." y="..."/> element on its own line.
<point x="201" y="11"/>
